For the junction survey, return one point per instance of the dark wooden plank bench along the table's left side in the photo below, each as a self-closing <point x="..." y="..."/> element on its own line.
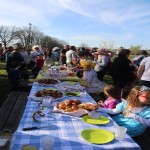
<point x="12" y="110"/>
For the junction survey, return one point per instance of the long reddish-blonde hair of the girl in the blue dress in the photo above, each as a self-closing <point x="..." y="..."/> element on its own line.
<point x="132" y="99"/>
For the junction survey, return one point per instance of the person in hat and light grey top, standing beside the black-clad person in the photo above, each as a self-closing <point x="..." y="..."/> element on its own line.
<point x="101" y="63"/>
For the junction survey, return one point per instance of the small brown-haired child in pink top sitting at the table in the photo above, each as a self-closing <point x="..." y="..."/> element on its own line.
<point x="113" y="94"/>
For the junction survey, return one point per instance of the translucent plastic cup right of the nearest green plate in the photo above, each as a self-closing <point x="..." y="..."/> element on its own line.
<point x="120" y="132"/>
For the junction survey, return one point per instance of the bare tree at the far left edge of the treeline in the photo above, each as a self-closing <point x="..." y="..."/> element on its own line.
<point x="7" y="34"/>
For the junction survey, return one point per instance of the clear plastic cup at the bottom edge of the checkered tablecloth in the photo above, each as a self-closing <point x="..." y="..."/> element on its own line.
<point x="47" y="142"/>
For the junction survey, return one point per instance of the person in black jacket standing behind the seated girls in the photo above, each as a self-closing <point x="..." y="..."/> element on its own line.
<point x="122" y="71"/>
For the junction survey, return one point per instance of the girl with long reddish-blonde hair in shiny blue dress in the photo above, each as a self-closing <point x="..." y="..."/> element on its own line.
<point x="134" y="114"/>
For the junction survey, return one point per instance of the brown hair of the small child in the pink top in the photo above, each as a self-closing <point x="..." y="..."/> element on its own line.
<point x="113" y="90"/>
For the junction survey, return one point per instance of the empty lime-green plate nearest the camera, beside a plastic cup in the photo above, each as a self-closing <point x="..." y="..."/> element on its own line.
<point x="97" y="136"/>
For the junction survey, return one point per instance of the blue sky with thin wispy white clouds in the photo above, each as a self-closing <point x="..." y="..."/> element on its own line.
<point x="122" y="22"/>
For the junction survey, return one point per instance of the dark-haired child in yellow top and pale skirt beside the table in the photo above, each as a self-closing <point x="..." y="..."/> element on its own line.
<point x="93" y="85"/>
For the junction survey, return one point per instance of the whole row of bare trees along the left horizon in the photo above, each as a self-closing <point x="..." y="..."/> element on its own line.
<point x="28" y="36"/>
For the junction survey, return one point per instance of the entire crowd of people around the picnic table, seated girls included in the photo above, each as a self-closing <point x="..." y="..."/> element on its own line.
<point x="132" y="111"/>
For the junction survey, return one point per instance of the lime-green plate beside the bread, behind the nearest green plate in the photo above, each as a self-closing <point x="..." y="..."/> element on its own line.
<point x="100" y="120"/>
